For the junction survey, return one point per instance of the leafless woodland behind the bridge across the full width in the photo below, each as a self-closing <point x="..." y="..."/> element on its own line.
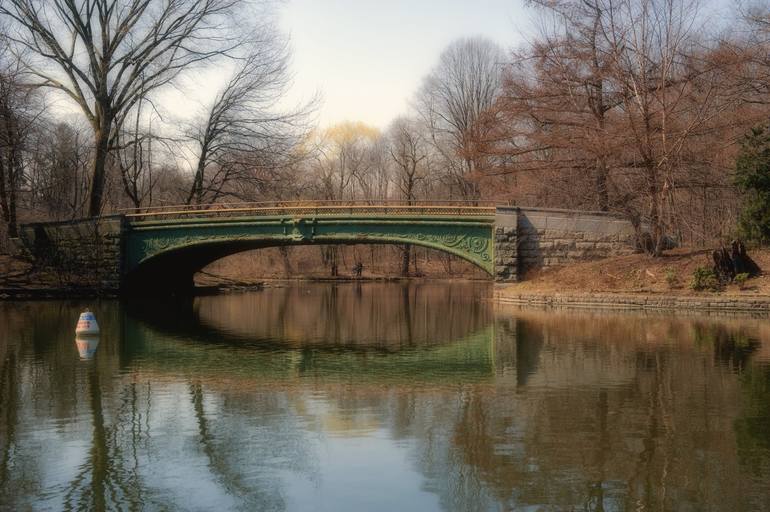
<point x="629" y="106"/>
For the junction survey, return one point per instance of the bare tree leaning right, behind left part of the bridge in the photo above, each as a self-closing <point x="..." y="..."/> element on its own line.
<point x="244" y="135"/>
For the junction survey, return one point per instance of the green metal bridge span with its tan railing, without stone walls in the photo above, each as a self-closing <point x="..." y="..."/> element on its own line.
<point x="162" y="243"/>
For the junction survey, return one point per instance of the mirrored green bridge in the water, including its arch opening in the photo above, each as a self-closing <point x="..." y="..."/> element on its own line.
<point x="373" y="330"/>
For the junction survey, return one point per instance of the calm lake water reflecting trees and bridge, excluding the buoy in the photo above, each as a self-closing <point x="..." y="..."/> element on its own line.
<point x="393" y="397"/>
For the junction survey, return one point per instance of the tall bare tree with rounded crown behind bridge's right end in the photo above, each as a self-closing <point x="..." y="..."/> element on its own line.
<point x="453" y="97"/>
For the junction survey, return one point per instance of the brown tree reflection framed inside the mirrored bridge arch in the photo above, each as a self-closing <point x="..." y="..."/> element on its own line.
<point x="392" y="315"/>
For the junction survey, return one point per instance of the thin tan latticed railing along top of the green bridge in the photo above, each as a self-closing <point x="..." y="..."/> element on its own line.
<point x="315" y="208"/>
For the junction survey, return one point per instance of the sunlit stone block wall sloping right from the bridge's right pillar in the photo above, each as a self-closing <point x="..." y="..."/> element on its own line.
<point x="550" y="237"/>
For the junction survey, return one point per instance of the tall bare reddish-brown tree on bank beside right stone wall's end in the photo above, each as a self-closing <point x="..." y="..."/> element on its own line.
<point x="660" y="110"/>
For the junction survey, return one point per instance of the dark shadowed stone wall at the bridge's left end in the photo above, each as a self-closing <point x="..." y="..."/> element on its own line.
<point x="81" y="253"/>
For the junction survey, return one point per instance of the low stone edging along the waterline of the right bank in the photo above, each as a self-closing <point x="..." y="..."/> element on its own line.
<point x="723" y="303"/>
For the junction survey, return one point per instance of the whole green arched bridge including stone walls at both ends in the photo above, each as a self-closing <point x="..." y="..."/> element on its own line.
<point x="160" y="249"/>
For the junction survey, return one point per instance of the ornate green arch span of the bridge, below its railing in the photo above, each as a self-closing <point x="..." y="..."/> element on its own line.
<point x="166" y="253"/>
